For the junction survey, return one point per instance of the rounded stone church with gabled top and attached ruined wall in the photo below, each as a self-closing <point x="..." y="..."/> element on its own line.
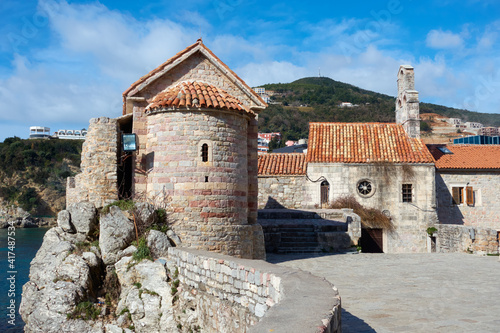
<point x="190" y="133"/>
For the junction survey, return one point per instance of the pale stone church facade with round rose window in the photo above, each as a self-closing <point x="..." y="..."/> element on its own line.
<point x="410" y="219"/>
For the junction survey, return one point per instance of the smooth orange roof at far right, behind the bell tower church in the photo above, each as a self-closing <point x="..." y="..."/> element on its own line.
<point x="467" y="156"/>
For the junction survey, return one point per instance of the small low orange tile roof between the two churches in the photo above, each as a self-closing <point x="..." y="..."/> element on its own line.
<point x="282" y="164"/>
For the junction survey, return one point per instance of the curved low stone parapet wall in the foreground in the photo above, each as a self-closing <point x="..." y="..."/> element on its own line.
<point x="234" y="294"/>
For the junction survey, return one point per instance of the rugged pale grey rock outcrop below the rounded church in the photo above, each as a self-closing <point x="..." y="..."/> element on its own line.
<point x="69" y="291"/>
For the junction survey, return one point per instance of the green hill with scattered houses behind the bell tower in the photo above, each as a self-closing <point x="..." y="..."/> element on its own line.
<point x="317" y="99"/>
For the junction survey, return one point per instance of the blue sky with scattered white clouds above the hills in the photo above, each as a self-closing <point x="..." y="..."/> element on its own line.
<point x="64" y="62"/>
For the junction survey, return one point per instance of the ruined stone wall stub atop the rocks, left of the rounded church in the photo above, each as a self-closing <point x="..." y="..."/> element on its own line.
<point x="97" y="181"/>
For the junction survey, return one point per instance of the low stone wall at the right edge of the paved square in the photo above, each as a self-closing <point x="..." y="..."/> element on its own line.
<point x="458" y="238"/>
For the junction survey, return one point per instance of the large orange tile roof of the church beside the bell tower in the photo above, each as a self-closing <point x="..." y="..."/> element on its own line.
<point x="364" y="143"/>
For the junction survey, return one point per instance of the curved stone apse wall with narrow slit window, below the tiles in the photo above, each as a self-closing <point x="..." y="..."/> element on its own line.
<point x="208" y="200"/>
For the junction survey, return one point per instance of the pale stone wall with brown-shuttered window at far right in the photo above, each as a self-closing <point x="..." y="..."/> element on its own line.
<point x="485" y="211"/>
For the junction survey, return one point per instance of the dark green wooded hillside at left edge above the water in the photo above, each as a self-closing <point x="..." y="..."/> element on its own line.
<point x="33" y="173"/>
